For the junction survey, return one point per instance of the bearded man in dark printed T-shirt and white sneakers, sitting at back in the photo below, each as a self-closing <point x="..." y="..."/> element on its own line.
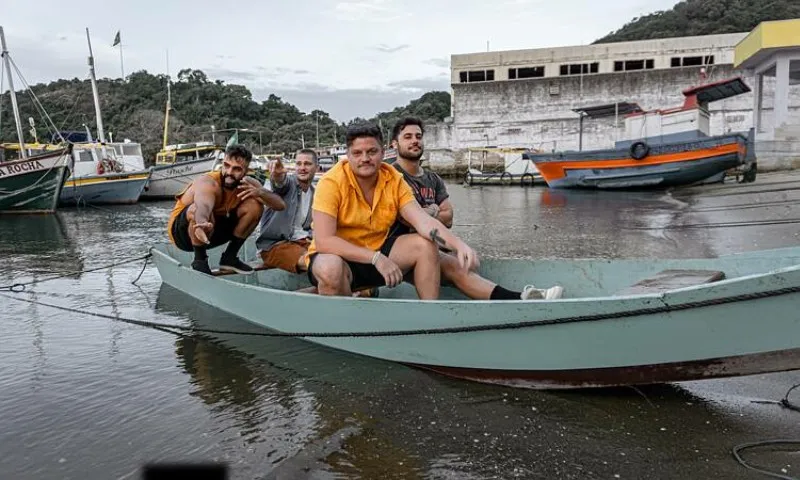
<point x="431" y="193"/>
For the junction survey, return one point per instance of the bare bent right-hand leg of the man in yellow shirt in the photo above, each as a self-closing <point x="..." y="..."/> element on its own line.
<point x="415" y="252"/>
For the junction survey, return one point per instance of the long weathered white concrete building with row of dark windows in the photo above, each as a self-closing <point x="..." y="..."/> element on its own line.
<point x="525" y="98"/>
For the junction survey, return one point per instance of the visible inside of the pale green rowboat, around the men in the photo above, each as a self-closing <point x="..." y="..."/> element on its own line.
<point x="581" y="278"/>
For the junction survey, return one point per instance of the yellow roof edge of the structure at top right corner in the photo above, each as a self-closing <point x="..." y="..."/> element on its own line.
<point x="765" y="39"/>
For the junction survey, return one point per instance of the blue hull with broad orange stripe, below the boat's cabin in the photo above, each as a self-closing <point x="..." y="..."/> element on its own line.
<point x="667" y="165"/>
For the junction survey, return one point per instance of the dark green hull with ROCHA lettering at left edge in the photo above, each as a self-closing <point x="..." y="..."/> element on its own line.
<point x="33" y="185"/>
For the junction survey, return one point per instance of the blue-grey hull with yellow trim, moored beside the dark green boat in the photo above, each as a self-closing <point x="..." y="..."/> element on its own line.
<point x="113" y="189"/>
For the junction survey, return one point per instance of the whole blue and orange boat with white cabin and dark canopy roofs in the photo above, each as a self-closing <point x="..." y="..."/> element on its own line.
<point x="665" y="147"/>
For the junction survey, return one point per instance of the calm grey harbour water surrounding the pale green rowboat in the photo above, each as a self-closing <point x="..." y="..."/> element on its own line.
<point x="84" y="398"/>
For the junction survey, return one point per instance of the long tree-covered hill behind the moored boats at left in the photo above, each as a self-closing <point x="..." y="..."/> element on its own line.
<point x="135" y="109"/>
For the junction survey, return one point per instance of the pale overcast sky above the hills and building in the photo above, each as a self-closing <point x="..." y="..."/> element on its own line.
<point x="349" y="58"/>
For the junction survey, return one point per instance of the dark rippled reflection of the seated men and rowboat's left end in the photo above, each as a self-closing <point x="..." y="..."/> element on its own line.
<point x="262" y="380"/>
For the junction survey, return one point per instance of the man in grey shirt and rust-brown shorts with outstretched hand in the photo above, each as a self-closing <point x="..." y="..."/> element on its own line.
<point x="284" y="235"/>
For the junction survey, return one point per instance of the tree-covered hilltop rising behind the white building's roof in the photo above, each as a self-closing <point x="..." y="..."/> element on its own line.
<point x="705" y="17"/>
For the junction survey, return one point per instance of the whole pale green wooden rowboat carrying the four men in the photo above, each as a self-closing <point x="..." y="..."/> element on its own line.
<point x="621" y="322"/>
